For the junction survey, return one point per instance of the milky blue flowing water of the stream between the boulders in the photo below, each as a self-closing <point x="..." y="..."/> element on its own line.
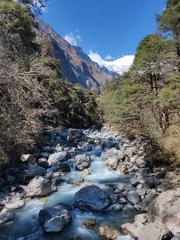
<point x="26" y="219"/>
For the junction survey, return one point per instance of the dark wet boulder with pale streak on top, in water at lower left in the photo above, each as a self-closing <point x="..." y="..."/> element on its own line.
<point x="54" y="219"/>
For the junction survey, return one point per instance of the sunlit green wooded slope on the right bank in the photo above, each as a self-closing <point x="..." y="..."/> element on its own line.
<point x="147" y="98"/>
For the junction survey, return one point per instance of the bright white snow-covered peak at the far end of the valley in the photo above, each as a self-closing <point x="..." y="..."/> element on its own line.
<point x="119" y="65"/>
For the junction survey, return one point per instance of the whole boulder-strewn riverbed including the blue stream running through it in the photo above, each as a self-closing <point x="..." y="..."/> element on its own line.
<point x="89" y="184"/>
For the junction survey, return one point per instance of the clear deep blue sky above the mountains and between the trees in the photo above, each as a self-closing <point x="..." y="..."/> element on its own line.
<point x="111" y="28"/>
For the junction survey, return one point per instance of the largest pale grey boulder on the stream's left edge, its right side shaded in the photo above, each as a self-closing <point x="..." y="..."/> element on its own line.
<point x="40" y="187"/>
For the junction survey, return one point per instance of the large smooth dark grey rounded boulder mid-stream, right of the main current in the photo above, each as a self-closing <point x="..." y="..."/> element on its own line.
<point x="91" y="198"/>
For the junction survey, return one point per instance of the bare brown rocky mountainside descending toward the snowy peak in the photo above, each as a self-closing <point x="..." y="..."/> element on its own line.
<point x="76" y="66"/>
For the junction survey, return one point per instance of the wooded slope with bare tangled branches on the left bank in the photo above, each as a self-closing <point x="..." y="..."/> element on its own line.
<point x="33" y="96"/>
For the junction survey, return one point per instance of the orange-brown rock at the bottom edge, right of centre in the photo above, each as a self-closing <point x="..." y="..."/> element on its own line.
<point x="107" y="232"/>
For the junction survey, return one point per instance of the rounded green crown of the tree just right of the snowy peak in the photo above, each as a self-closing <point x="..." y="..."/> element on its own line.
<point x="149" y="61"/>
